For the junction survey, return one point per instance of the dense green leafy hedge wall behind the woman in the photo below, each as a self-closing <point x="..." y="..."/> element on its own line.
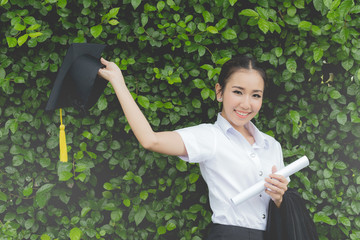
<point x="171" y="53"/>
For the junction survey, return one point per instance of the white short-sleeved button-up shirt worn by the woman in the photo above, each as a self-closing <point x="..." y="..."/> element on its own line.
<point x="229" y="165"/>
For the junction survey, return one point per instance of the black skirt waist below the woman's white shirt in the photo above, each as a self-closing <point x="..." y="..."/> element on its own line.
<point x="228" y="232"/>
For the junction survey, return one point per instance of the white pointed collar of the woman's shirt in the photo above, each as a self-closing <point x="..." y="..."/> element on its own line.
<point x="225" y="126"/>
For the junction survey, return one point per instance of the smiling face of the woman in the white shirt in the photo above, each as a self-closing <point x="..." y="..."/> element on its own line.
<point x="241" y="97"/>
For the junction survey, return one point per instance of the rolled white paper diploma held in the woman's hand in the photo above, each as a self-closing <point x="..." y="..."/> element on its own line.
<point x="259" y="186"/>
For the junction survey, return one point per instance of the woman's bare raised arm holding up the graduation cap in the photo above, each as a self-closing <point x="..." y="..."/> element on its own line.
<point x="169" y="143"/>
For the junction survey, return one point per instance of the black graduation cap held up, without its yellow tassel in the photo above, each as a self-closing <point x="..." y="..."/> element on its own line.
<point x="77" y="83"/>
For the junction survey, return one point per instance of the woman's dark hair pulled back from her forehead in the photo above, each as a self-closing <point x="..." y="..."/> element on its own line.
<point x="236" y="64"/>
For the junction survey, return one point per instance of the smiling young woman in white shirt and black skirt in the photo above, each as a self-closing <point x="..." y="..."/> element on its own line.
<point x="232" y="153"/>
